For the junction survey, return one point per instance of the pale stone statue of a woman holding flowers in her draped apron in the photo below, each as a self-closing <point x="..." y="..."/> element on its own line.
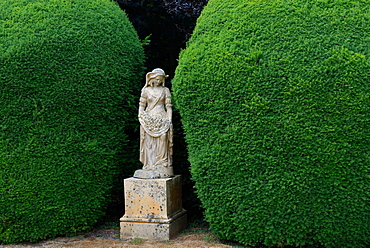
<point x="156" y="133"/>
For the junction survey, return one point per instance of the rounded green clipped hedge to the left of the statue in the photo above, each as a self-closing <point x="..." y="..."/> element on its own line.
<point x="68" y="70"/>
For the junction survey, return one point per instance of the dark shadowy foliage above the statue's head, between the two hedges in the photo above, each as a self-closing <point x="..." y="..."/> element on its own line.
<point x="168" y="24"/>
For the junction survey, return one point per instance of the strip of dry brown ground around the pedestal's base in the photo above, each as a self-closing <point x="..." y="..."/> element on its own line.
<point x="109" y="238"/>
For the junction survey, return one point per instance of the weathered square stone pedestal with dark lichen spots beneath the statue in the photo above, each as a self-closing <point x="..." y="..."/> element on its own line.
<point x="153" y="208"/>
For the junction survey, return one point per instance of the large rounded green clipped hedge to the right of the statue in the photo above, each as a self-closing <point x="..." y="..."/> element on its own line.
<point x="274" y="97"/>
